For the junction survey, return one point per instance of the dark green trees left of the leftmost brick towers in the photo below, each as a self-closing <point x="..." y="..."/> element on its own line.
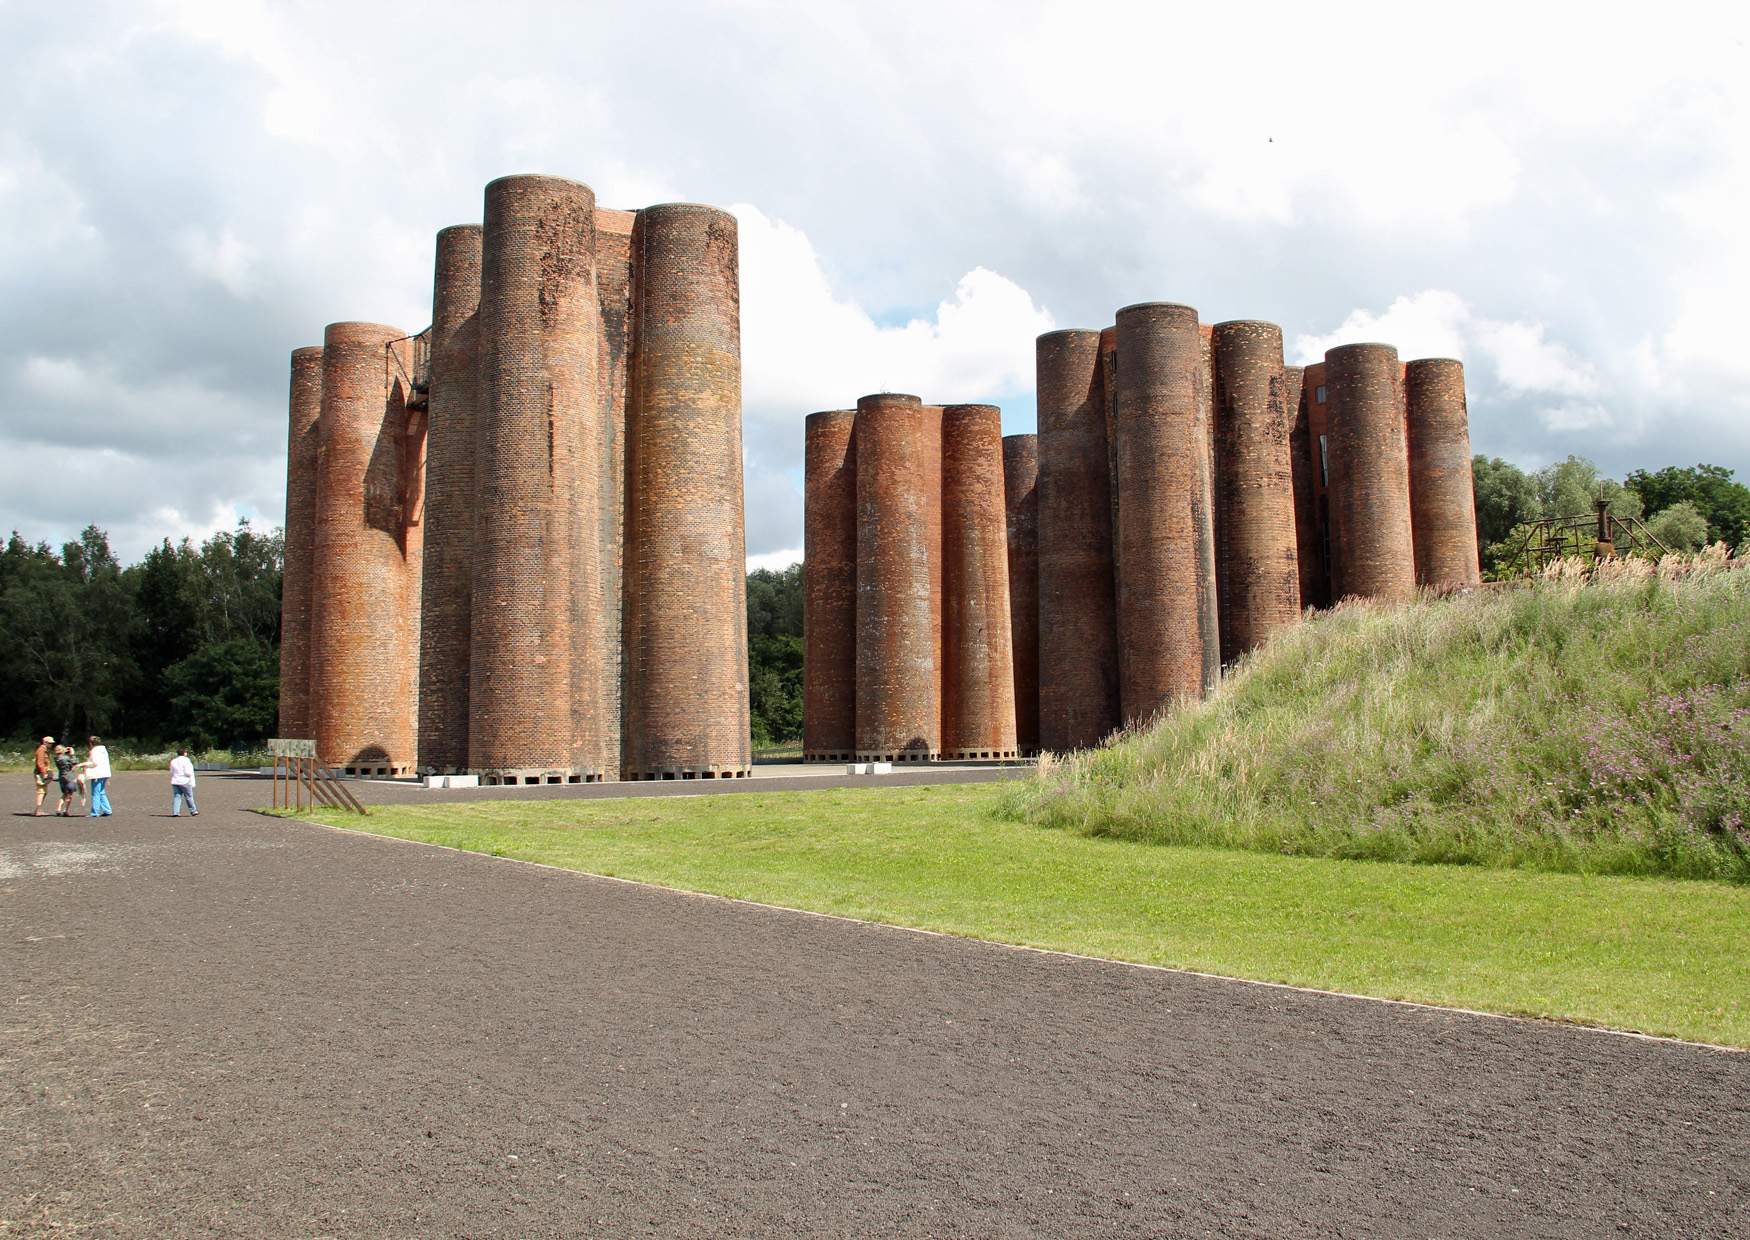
<point x="88" y="646"/>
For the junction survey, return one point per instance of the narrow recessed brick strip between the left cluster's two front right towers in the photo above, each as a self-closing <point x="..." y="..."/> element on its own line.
<point x="613" y="366"/>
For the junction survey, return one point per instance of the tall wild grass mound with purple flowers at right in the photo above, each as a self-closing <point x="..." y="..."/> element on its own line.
<point x="1579" y="725"/>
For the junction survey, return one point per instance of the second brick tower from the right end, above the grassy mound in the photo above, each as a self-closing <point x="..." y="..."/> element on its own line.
<point x="1369" y="485"/>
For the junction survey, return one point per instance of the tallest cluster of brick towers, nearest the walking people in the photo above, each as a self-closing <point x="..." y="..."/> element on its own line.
<point x="515" y="543"/>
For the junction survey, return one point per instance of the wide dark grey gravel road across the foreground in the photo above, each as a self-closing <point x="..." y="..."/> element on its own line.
<point x="242" y="1028"/>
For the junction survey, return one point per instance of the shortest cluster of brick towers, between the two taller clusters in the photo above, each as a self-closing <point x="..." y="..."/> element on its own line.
<point x="906" y="585"/>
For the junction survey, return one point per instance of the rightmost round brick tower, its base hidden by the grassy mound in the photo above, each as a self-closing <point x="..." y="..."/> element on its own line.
<point x="1443" y="503"/>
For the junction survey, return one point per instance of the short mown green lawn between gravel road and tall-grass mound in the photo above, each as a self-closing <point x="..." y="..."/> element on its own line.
<point x="1655" y="956"/>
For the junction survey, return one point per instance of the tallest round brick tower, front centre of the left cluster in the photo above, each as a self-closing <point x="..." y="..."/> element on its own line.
<point x="535" y="711"/>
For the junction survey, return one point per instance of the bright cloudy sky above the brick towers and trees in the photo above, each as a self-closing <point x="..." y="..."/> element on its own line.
<point x="190" y="192"/>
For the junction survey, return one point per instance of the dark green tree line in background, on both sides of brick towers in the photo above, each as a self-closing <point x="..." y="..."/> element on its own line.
<point x="185" y="646"/>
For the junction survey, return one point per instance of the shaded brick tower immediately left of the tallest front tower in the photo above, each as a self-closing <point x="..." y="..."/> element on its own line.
<point x="447" y="594"/>
